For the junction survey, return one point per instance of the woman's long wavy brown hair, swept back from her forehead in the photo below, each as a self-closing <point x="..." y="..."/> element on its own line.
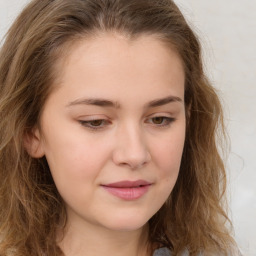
<point x="32" y="211"/>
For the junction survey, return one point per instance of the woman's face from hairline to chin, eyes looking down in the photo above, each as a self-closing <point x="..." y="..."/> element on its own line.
<point x="113" y="131"/>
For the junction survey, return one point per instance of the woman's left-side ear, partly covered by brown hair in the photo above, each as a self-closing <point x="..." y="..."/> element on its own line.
<point x="33" y="143"/>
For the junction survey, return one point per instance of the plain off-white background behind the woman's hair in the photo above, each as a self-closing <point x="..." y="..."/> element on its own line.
<point x="227" y="29"/>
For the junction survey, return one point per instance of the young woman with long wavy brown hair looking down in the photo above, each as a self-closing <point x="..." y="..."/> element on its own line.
<point x="108" y="133"/>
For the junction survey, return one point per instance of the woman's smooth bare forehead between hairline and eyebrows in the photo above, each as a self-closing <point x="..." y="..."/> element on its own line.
<point x="112" y="61"/>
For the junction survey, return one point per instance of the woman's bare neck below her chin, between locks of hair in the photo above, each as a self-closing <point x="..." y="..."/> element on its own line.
<point x="98" y="241"/>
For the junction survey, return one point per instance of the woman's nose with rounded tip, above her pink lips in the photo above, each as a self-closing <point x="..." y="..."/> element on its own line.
<point x="131" y="149"/>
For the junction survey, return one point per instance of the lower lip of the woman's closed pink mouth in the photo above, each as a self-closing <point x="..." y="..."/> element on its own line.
<point x="128" y="193"/>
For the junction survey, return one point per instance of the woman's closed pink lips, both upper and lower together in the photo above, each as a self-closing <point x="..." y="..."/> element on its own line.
<point x="128" y="190"/>
